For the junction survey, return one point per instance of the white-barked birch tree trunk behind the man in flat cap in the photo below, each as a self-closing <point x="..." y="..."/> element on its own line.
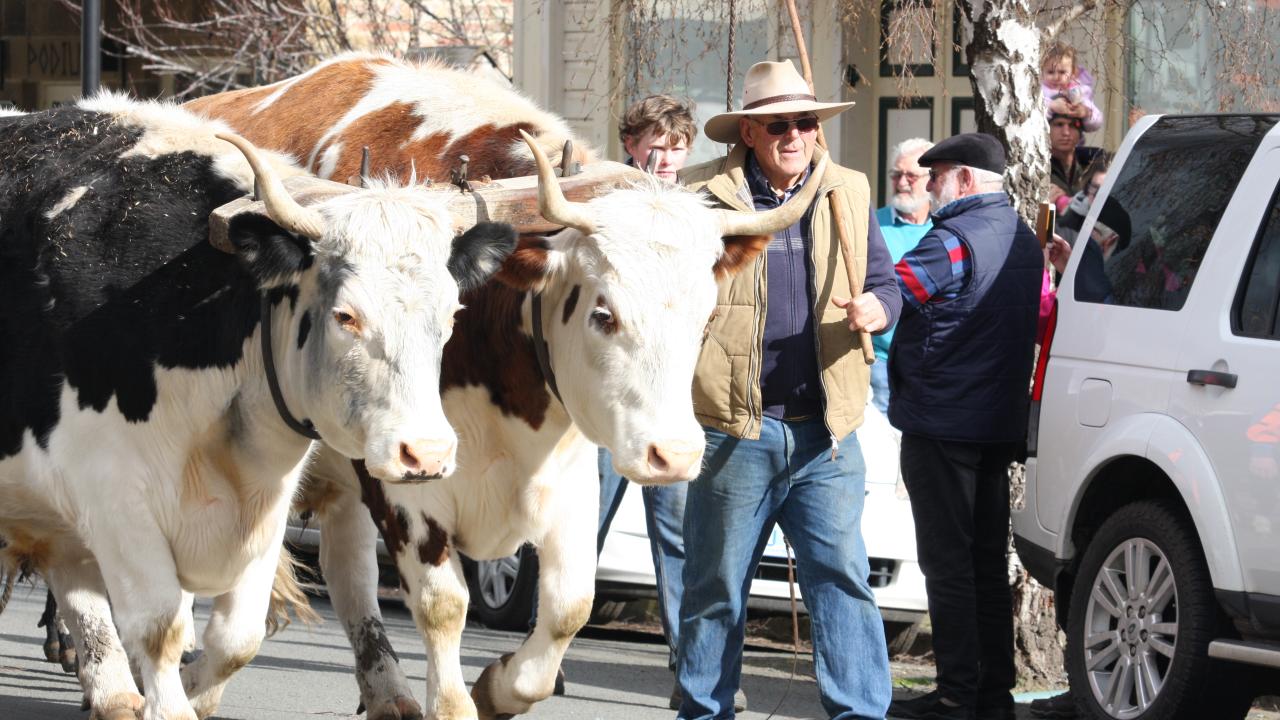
<point x="1004" y="60"/>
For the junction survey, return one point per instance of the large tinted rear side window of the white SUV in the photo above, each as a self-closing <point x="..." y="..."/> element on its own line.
<point x="1159" y="220"/>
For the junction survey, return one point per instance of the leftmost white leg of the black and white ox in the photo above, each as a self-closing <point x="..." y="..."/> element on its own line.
<point x="104" y="669"/>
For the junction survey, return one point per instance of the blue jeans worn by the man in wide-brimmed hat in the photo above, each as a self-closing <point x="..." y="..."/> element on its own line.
<point x="787" y="477"/>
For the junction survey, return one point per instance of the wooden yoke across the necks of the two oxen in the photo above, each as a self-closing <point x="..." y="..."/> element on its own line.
<point x="513" y="200"/>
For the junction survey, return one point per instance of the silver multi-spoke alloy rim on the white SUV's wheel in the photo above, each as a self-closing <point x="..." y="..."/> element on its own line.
<point x="1131" y="628"/>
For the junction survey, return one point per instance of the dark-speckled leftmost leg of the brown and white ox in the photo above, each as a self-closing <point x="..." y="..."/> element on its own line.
<point x="349" y="558"/>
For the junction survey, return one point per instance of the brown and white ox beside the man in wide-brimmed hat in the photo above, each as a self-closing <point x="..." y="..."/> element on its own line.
<point x="625" y="297"/>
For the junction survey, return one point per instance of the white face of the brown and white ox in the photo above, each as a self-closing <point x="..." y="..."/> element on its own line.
<point x="632" y="352"/>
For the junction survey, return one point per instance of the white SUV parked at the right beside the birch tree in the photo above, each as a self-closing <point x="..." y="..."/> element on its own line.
<point x="1153" y="502"/>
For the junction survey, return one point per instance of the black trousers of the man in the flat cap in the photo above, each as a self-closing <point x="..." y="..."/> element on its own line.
<point x="961" y="502"/>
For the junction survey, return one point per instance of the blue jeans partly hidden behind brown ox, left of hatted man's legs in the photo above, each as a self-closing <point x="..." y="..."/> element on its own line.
<point x="665" y="518"/>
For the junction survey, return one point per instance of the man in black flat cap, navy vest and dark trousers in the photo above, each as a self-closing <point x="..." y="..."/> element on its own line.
<point x="959" y="372"/>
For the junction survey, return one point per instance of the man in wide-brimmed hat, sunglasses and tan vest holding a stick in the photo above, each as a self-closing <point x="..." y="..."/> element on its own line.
<point x="780" y="390"/>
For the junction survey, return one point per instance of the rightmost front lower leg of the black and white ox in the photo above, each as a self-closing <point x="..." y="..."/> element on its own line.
<point x="232" y="637"/>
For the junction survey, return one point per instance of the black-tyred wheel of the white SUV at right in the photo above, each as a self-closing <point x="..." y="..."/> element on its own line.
<point x="1150" y="648"/>
